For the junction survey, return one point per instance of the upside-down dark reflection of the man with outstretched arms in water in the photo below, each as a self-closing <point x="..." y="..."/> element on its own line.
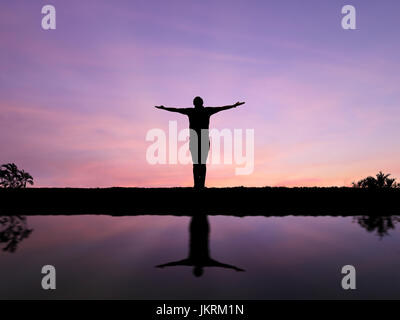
<point x="199" y="251"/>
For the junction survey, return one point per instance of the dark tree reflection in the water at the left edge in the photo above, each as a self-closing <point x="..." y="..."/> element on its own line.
<point x="13" y="229"/>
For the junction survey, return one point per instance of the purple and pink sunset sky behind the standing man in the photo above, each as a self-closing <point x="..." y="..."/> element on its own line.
<point x="77" y="102"/>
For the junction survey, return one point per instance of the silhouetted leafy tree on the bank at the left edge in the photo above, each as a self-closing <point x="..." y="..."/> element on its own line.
<point x="12" y="177"/>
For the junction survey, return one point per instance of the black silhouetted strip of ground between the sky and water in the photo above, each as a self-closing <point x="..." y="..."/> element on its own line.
<point x="211" y="201"/>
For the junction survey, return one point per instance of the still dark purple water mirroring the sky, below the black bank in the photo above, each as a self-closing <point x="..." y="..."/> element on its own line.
<point x="291" y="257"/>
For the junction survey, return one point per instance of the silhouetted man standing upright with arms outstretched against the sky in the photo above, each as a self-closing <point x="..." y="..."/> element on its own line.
<point x="199" y="121"/>
